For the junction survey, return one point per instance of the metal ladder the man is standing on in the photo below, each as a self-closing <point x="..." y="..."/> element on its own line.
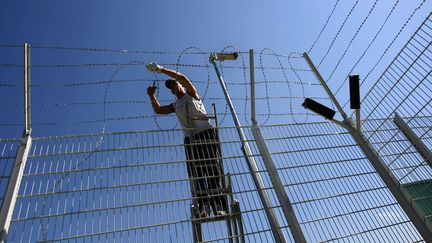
<point x="233" y="217"/>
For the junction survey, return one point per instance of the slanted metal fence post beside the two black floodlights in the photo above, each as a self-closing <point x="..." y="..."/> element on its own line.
<point x="404" y="200"/>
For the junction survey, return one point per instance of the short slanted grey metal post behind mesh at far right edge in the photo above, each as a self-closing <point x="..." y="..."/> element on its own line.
<point x="414" y="139"/>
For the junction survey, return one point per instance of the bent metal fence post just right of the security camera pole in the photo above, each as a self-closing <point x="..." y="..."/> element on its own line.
<point x="271" y="168"/>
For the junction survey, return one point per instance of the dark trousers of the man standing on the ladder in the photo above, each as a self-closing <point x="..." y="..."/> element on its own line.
<point x="203" y="156"/>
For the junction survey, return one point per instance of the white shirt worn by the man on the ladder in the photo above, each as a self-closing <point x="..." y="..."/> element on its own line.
<point x="197" y="115"/>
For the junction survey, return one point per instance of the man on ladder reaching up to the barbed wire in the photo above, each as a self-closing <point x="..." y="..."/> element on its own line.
<point x="201" y="139"/>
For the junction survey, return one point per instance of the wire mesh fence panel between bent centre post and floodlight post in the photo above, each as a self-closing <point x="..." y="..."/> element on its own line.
<point x="335" y="191"/>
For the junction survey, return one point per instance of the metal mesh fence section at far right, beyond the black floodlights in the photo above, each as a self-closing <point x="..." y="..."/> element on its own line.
<point x="404" y="88"/>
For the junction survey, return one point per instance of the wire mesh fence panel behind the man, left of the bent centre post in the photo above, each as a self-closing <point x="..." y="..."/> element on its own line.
<point x="133" y="188"/>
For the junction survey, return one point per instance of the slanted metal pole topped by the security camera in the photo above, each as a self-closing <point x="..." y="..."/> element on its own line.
<point x="265" y="199"/>
